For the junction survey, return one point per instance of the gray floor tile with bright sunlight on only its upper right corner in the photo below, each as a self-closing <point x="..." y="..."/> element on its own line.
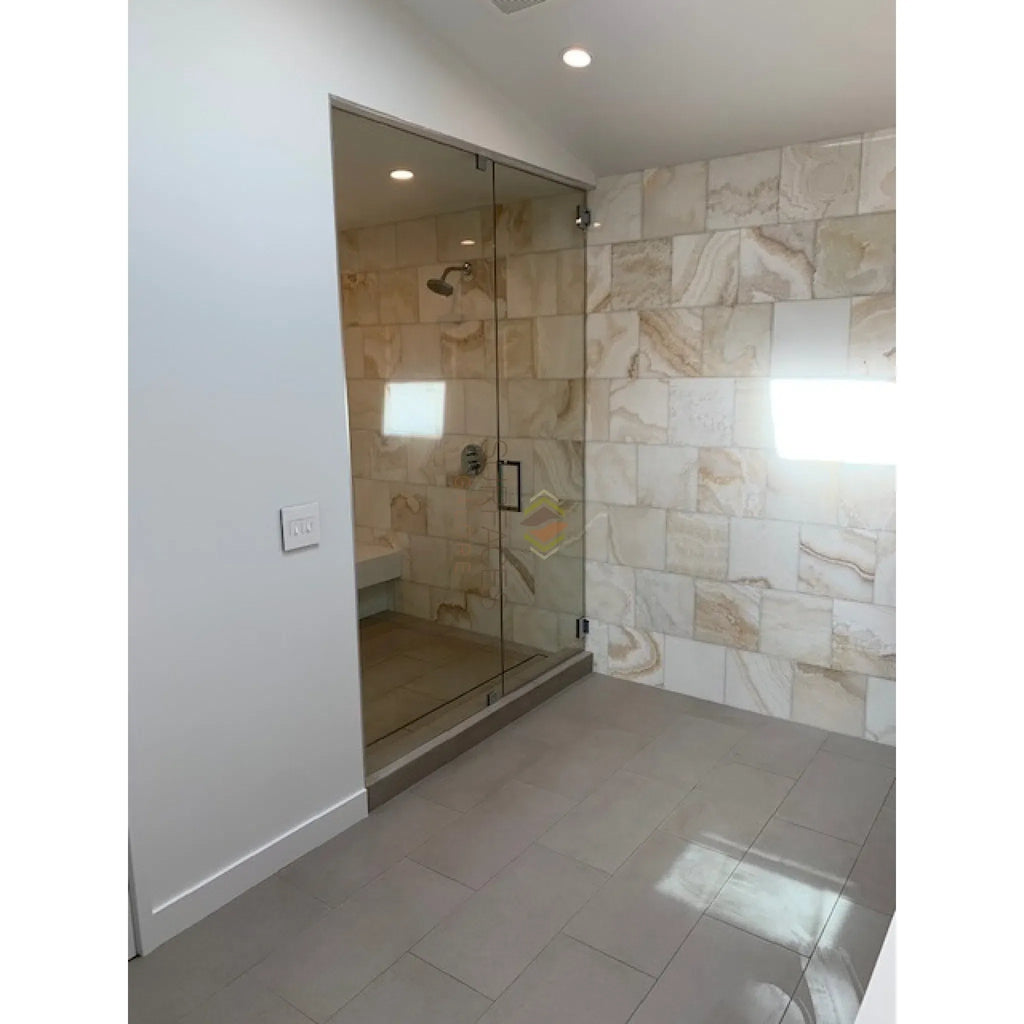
<point x="651" y="905"/>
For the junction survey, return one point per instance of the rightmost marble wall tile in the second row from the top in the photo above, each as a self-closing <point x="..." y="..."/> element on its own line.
<point x="856" y="255"/>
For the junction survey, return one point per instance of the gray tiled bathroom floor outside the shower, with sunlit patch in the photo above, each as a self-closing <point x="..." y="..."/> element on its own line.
<point x="620" y="855"/>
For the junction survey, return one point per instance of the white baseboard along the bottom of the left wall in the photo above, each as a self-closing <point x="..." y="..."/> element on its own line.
<point x="159" y="924"/>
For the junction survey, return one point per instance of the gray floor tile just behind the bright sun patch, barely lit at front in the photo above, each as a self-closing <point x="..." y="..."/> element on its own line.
<point x="731" y="805"/>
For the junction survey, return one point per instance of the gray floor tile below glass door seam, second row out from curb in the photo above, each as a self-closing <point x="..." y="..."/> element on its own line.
<point x="494" y="834"/>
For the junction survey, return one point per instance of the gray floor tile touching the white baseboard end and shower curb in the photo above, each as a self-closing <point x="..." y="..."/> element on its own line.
<point x="333" y="872"/>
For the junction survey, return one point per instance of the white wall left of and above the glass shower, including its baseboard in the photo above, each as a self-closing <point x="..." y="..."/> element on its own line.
<point x="244" y="719"/>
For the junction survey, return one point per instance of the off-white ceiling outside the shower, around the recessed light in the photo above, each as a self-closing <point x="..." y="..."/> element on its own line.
<point x="680" y="80"/>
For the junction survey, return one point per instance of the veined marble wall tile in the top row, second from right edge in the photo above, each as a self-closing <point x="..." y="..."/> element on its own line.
<point x="820" y="180"/>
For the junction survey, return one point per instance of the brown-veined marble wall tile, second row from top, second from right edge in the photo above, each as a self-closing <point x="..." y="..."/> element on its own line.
<point x="777" y="263"/>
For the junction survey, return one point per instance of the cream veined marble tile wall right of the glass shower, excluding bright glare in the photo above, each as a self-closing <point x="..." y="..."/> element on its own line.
<point x="716" y="568"/>
